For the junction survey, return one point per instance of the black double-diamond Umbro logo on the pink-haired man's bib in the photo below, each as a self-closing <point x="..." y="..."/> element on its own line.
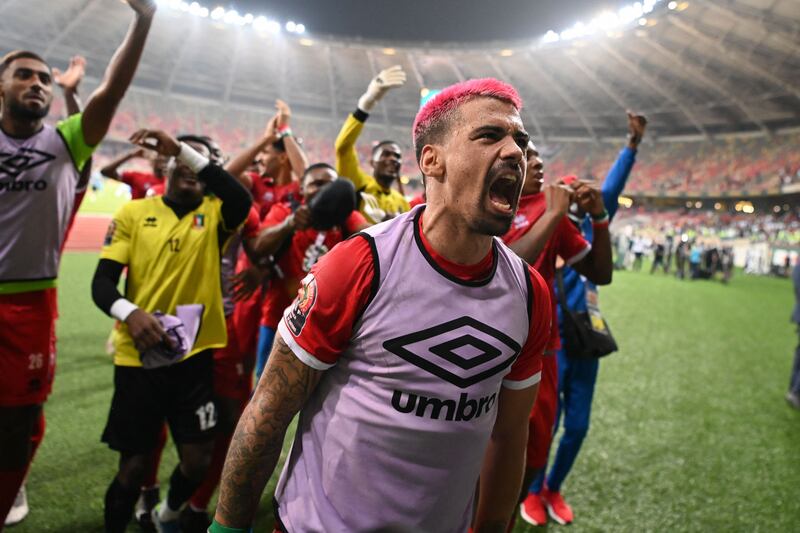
<point x="462" y="351"/>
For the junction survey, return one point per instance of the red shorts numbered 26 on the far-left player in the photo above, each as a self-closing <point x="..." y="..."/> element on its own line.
<point x="27" y="347"/>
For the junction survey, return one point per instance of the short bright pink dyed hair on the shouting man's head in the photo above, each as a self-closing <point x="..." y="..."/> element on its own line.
<point x="454" y="96"/>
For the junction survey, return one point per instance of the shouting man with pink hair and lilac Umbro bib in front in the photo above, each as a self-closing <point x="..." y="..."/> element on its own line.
<point x="412" y="352"/>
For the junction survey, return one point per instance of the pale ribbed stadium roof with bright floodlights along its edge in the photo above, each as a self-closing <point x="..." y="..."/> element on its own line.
<point x="696" y="68"/>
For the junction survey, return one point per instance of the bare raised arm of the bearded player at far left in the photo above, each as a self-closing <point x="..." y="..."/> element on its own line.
<point x="104" y="101"/>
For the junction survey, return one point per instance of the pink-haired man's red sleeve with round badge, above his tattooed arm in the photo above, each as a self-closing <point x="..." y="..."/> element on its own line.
<point x="318" y="325"/>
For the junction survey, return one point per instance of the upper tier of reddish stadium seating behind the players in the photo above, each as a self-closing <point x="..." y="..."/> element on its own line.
<point x="726" y="166"/>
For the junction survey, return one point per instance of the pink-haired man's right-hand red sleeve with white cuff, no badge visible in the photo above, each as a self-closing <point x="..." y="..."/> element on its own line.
<point x="527" y="369"/>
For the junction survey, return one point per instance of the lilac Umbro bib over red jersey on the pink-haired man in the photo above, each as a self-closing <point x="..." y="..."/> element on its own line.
<point x="415" y="351"/>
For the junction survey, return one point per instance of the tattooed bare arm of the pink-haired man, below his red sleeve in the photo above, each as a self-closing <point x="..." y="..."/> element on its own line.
<point x="256" y="446"/>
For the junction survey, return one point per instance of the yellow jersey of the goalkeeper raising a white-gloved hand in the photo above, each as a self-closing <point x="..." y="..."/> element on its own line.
<point x="389" y="200"/>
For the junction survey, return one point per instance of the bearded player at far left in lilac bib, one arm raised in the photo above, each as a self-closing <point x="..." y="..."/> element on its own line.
<point x="38" y="180"/>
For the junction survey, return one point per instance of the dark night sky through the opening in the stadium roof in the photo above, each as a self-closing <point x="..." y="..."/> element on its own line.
<point x="429" y="20"/>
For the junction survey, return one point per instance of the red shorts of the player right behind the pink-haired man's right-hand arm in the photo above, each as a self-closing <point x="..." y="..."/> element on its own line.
<point x="543" y="415"/>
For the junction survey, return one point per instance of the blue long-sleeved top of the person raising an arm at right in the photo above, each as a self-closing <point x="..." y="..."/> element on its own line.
<point x="575" y="285"/>
